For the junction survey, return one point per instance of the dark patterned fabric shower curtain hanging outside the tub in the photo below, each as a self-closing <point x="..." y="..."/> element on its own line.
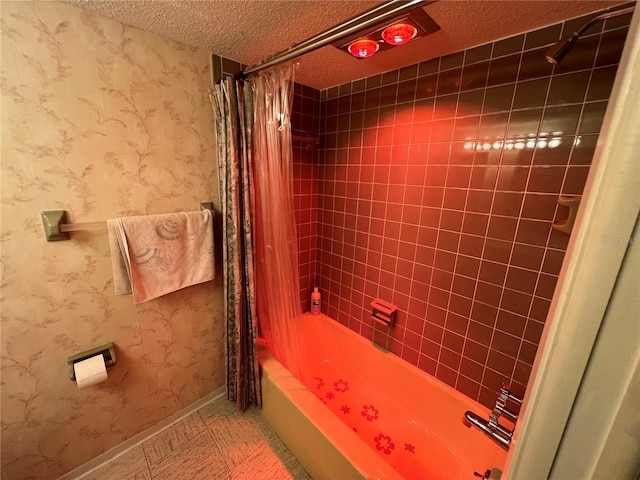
<point x="232" y="108"/>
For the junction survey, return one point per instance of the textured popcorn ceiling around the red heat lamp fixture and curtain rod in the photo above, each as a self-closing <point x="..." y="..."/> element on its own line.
<point x="250" y="31"/>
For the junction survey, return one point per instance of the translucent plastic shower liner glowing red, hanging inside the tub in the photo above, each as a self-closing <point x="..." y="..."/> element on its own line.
<point x="277" y="286"/>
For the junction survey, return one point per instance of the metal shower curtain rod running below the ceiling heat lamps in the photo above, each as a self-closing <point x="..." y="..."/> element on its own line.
<point x="364" y="20"/>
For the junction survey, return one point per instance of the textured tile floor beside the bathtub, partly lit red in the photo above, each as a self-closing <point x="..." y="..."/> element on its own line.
<point x="215" y="443"/>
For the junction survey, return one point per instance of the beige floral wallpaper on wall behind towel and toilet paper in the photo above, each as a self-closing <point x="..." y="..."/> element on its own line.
<point x="101" y="120"/>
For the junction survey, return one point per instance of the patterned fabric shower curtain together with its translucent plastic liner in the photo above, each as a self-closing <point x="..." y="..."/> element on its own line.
<point x="253" y="127"/>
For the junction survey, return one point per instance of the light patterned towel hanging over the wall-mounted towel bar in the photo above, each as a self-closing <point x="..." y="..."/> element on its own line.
<point x="157" y="254"/>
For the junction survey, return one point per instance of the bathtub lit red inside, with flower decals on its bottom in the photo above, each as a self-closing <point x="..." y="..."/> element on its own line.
<point x="370" y="414"/>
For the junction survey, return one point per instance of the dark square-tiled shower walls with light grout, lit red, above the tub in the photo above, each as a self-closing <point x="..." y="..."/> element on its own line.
<point x="438" y="187"/>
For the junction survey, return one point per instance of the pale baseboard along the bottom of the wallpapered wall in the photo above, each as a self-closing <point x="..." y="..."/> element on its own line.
<point x="141" y="437"/>
